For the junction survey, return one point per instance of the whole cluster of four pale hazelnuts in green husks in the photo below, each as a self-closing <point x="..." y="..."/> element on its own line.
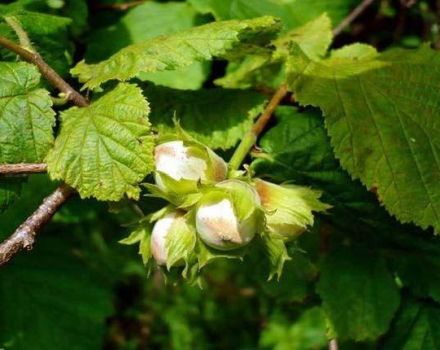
<point x="223" y="212"/>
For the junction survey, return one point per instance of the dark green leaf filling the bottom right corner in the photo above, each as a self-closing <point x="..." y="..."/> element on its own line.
<point x="417" y="326"/>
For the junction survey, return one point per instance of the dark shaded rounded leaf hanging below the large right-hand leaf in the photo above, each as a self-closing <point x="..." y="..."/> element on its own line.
<point x="358" y="292"/>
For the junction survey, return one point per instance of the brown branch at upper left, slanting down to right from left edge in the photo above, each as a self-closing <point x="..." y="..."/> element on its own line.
<point x="46" y="71"/>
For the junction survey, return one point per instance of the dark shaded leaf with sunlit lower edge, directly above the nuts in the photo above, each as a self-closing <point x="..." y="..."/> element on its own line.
<point x="215" y="127"/>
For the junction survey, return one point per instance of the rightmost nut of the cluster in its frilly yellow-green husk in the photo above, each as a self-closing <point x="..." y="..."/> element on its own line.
<point x="288" y="207"/>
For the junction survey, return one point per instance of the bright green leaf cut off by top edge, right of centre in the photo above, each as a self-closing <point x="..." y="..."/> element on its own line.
<point x="293" y="13"/>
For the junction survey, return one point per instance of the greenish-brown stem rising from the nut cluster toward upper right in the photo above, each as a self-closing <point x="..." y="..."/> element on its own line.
<point x="251" y="136"/>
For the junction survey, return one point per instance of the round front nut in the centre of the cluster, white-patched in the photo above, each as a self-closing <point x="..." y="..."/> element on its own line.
<point x="229" y="215"/>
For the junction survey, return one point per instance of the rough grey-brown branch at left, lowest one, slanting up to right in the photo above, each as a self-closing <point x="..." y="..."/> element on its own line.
<point x="24" y="236"/>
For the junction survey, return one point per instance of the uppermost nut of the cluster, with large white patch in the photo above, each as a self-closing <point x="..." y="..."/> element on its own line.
<point x="181" y="165"/>
